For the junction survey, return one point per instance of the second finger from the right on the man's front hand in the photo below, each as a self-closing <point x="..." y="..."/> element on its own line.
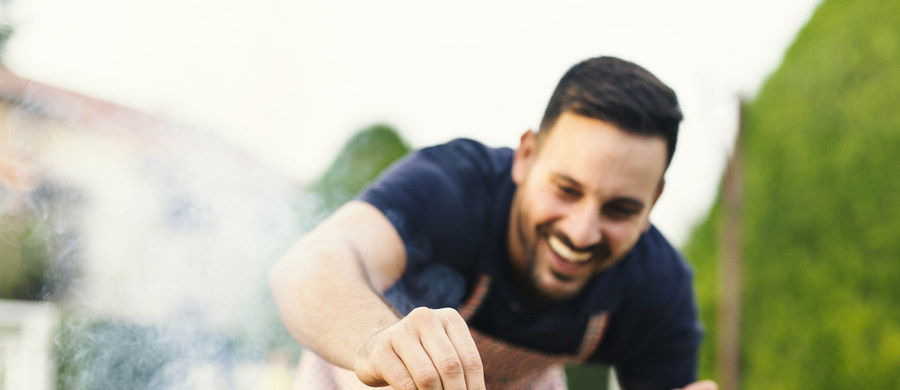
<point x="442" y="352"/>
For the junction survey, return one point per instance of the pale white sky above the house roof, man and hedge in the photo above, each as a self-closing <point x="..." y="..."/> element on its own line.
<point x="290" y="81"/>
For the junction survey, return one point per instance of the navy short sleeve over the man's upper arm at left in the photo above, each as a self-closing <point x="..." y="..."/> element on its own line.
<point x="438" y="199"/>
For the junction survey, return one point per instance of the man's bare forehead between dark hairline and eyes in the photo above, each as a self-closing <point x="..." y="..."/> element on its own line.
<point x="598" y="153"/>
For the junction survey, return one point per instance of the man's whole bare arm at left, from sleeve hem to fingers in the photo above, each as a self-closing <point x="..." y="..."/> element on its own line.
<point x="327" y="289"/>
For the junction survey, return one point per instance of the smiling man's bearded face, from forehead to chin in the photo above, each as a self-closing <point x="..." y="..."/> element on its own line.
<point x="584" y="195"/>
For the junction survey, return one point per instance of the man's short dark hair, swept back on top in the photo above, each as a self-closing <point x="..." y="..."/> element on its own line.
<point x="619" y="92"/>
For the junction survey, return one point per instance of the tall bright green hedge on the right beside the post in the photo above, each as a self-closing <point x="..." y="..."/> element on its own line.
<point x="821" y="211"/>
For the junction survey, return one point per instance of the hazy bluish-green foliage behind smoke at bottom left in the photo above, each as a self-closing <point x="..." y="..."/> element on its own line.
<point x="100" y="354"/>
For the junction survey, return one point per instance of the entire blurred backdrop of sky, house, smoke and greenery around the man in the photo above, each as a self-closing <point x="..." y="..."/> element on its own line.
<point x="156" y="157"/>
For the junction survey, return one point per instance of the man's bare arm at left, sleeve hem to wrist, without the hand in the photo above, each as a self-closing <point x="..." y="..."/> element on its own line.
<point x="322" y="285"/>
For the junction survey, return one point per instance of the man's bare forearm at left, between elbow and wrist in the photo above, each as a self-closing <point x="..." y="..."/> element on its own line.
<point x="327" y="301"/>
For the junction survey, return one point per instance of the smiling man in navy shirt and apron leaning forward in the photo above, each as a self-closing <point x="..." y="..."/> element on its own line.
<point x="469" y="267"/>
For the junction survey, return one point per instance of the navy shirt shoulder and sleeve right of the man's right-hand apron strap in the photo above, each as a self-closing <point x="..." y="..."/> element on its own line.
<point x="657" y="327"/>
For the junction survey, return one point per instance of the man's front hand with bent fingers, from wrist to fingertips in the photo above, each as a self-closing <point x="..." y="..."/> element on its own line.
<point x="427" y="349"/>
